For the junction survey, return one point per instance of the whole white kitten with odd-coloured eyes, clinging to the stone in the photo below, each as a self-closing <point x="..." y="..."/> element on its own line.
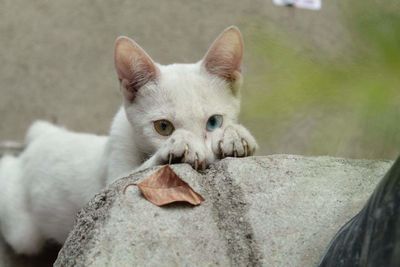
<point x="174" y="113"/>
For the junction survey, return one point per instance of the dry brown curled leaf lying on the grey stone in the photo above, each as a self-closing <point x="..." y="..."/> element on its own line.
<point x="164" y="187"/>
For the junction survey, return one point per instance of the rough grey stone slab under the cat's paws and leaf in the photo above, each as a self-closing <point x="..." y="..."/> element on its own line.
<point x="276" y="210"/>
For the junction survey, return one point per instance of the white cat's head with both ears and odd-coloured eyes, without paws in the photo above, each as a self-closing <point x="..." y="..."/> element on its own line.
<point x="199" y="97"/>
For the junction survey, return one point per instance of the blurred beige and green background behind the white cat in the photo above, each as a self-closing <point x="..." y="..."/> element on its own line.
<point x="321" y="82"/>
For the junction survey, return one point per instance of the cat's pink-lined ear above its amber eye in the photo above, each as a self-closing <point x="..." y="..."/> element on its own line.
<point x="134" y="66"/>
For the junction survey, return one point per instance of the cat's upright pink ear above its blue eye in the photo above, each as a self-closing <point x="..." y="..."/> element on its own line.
<point x="224" y="57"/>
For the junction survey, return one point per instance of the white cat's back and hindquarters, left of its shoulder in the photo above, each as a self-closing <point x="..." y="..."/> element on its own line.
<point x="44" y="187"/>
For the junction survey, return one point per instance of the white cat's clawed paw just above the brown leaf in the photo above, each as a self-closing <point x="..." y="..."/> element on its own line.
<point x="183" y="147"/>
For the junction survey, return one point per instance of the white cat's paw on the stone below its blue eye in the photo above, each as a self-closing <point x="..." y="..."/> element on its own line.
<point x="234" y="141"/>
